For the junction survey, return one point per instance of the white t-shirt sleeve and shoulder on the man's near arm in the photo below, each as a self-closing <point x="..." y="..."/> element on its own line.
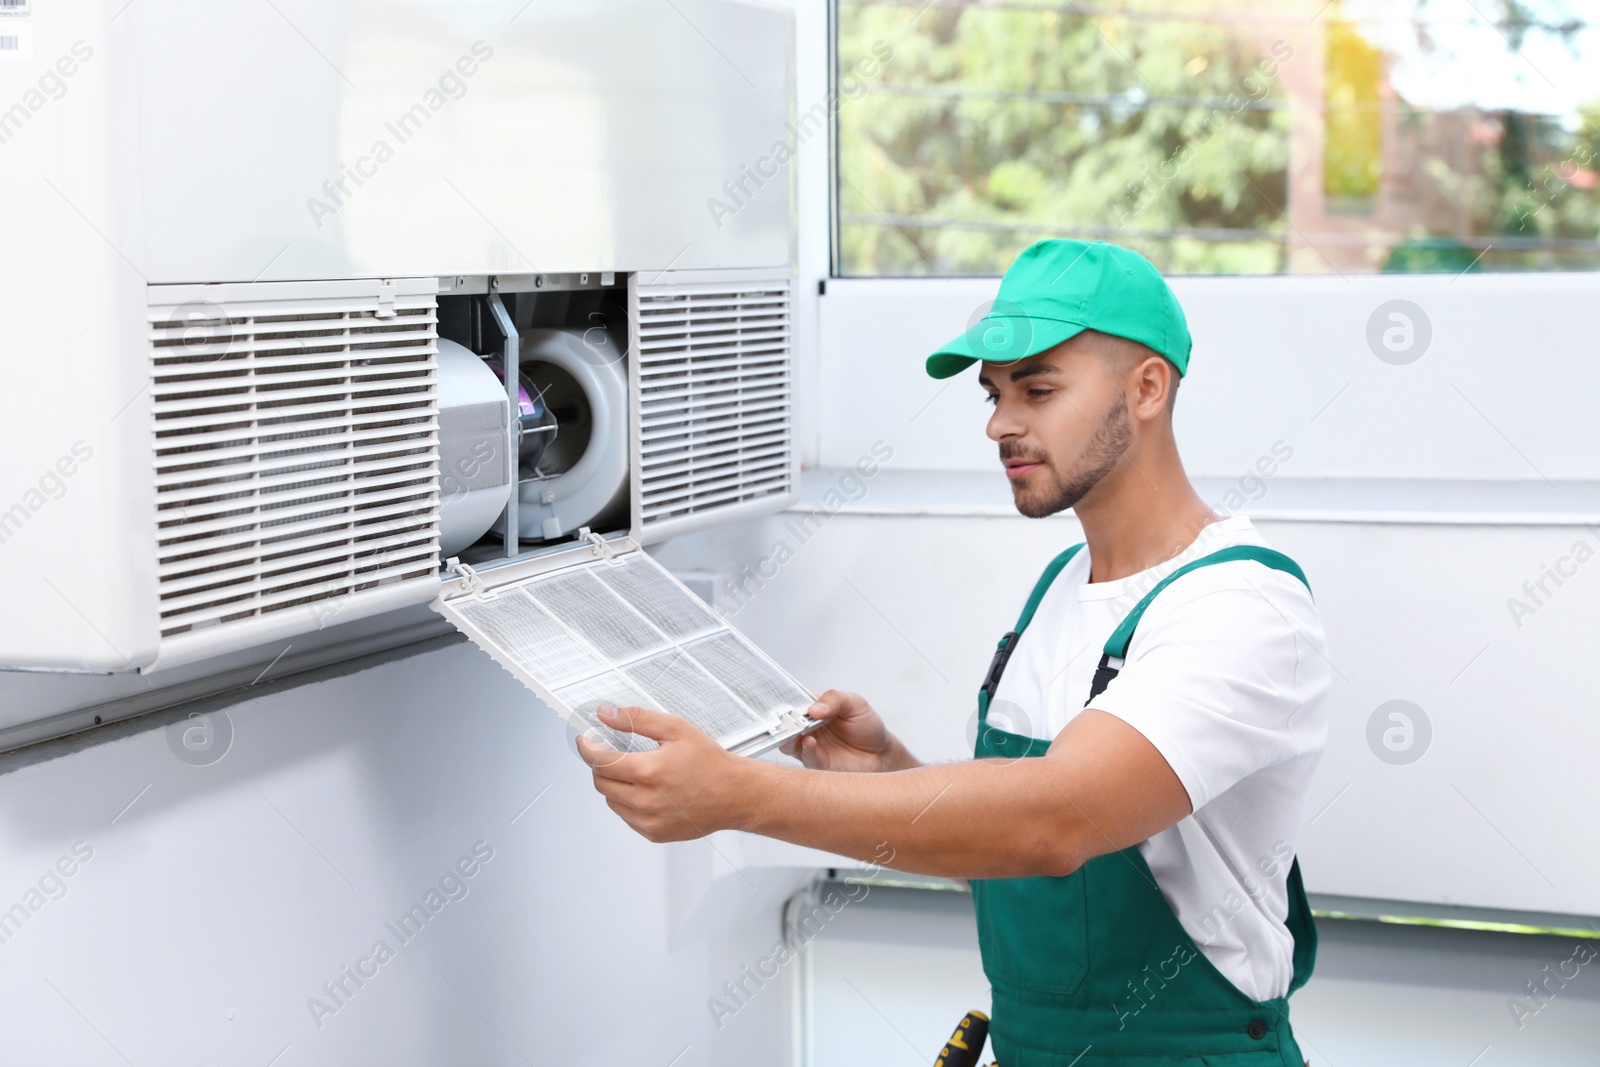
<point x="1218" y="668"/>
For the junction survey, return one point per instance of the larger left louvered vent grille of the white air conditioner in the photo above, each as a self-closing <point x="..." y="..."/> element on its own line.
<point x="295" y="446"/>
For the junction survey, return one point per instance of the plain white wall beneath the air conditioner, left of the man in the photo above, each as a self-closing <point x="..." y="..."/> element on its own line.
<point x="217" y="900"/>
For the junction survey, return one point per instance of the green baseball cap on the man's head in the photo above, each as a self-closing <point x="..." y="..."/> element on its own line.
<point x="1057" y="290"/>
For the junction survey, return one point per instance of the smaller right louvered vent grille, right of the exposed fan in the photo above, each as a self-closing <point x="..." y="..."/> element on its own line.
<point x="714" y="430"/>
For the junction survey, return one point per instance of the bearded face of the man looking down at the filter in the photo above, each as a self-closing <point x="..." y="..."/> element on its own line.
<point x="1062" y="422"/>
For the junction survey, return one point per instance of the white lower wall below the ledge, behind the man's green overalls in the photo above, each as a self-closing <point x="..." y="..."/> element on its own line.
<point x="1382" y="996"/>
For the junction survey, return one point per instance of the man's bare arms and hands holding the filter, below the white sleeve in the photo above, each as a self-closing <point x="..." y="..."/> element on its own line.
<point x="1100" y="788"/>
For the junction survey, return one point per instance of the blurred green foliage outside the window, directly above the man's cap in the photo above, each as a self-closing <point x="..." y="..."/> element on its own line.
<point x="1055" y="134"/>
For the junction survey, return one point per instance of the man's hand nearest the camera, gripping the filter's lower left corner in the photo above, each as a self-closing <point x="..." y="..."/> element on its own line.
<point x="689" y="788"/>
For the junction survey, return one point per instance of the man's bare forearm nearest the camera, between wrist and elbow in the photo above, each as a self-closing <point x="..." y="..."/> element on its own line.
<point x="972" y="820"/>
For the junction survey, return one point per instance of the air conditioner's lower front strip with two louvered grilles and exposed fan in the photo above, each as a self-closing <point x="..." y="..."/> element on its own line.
<point x="314" y="444"/>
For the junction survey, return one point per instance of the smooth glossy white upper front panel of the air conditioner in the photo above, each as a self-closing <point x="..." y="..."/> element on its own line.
<point x="353" y="138"/>
